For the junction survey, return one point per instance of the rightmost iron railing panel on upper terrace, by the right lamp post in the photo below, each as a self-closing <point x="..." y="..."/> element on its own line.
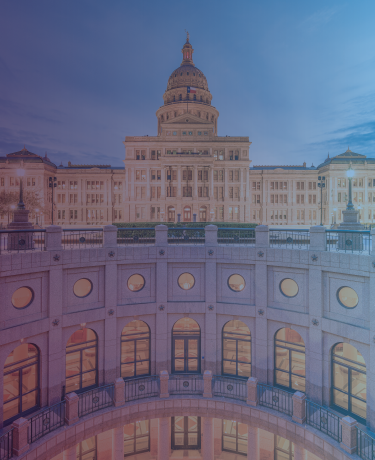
<point x="359" y="242"/>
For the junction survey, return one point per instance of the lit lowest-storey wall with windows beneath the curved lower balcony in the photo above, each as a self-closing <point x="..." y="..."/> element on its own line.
<point x="143" y="440"/>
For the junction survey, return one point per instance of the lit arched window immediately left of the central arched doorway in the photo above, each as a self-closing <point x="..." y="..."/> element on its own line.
<point x="135" y="350"/>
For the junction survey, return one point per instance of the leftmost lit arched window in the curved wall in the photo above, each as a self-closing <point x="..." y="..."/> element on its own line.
<point x="21" y="382"/>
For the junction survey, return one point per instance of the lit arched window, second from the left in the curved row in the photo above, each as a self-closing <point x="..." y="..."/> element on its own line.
<point x="81" y="369"/>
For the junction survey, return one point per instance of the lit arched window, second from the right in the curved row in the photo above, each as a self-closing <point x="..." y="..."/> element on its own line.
<point x="289" y="360"/>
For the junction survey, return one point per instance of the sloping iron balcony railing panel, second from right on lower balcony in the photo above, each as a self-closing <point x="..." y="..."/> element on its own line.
<point x="323" y="420"/>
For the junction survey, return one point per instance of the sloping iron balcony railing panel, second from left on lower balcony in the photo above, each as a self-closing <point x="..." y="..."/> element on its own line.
<point x="46" y="421"/>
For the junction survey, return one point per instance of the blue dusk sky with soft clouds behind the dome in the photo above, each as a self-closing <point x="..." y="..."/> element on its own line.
<point x="298" y="78"/>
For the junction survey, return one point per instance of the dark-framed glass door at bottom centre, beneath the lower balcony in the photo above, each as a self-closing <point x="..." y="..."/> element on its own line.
<point x="186" y="432"/>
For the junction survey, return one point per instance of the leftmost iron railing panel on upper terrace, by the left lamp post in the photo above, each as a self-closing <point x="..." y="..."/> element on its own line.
<point x="22" y="240"/>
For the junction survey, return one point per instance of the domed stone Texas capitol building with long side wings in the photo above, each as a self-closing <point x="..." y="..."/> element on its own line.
<point x="188" y="172"/>
